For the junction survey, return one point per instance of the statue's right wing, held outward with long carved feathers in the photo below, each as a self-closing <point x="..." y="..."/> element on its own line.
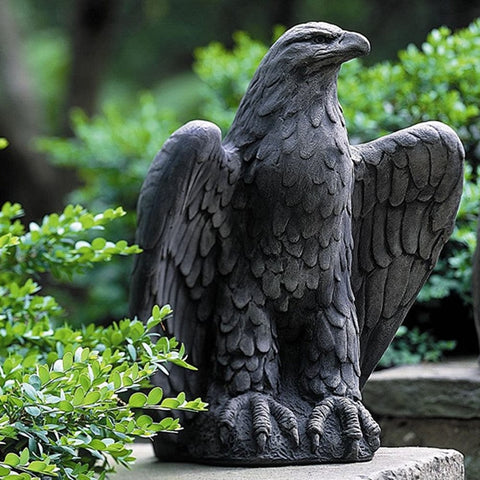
<point x="406" y="195"/>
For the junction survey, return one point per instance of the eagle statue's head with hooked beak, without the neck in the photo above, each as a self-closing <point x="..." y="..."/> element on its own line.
<point x="316" y="46"/>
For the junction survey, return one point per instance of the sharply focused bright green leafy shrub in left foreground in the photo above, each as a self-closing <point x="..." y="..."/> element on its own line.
<point x="65" y="409"/>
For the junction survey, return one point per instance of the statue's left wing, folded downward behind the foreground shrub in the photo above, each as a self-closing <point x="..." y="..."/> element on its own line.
<point x="182" y="212"/>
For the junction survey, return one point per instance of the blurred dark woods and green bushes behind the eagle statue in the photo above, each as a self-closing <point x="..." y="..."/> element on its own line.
<point x="90" y="89"/>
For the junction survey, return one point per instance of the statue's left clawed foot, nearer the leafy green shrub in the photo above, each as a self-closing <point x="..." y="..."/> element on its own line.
<point x="262" y="408"/>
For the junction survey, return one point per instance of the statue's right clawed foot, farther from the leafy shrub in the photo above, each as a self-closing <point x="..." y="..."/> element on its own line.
<point x="355" y="423"/>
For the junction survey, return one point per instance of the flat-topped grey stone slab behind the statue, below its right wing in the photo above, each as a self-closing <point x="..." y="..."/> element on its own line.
<point x="444" y="390"/>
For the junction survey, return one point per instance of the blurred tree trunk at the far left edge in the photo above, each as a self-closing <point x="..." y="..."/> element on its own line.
<point x="26" y="176"/>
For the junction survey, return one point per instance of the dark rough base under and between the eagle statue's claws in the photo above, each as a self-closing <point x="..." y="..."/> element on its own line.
<point x="205" y="441"/>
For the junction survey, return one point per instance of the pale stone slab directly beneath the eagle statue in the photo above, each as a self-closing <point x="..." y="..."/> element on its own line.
<point x="408" y="463"/>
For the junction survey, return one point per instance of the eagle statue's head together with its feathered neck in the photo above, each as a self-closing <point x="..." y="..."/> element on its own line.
<point x="300" y="67"/>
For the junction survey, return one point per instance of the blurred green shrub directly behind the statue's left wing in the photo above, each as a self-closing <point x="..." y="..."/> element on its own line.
<point x="111" y="153"/>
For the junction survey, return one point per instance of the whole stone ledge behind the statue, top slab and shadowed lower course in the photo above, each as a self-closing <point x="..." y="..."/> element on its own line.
<point x="434" y="405"/>
